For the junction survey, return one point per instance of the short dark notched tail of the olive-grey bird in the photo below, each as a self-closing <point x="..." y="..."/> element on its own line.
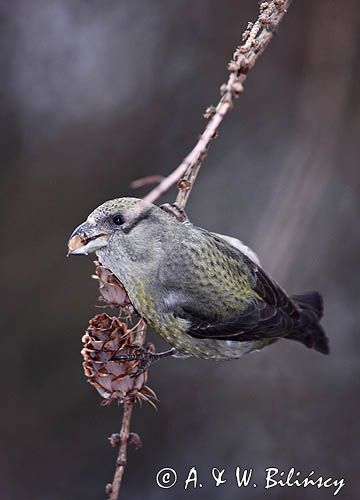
<point x="309" y="332"/>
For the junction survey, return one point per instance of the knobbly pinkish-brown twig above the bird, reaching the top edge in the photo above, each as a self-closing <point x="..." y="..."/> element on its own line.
<point x="255" y="39"/>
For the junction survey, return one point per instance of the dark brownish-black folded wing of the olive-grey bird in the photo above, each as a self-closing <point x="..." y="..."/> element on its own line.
<point x="268" y="313"/>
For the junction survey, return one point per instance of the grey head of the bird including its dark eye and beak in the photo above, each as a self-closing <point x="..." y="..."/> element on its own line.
<point x="125" y="229"/>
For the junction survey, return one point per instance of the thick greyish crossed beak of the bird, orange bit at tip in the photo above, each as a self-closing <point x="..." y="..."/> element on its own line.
<point x="87" y="238"/>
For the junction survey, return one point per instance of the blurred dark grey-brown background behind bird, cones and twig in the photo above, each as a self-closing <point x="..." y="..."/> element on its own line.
<point x="97" y="94"/>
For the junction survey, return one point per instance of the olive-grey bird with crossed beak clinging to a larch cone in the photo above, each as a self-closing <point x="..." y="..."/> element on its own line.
<point x="204" y="293"/>
